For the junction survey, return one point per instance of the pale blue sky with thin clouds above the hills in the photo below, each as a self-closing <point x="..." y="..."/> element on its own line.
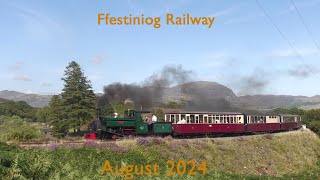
<point x="39" y="38"/>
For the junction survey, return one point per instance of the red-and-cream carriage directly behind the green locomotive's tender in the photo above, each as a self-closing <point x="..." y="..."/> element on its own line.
<point x="192" y="122"/>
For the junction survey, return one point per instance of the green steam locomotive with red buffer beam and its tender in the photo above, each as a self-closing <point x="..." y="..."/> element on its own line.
<point x="130" y="124"/>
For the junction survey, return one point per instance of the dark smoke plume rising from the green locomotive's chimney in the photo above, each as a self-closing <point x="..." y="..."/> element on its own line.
<point x="150" y="91"/>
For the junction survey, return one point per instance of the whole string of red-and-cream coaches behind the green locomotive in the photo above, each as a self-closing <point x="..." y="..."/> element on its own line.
<point x="194" y="122"/>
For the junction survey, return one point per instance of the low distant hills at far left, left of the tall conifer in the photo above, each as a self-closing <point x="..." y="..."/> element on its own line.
<point x="34" y="100"/>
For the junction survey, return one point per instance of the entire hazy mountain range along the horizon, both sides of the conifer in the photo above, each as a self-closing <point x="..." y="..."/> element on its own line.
<point x="199" y="95"/>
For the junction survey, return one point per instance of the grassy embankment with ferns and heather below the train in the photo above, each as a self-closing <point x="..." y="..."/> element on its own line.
<point x="290" y="155"/>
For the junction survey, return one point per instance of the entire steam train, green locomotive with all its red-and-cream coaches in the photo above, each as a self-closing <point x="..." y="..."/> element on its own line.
<point x="189" y="123"/>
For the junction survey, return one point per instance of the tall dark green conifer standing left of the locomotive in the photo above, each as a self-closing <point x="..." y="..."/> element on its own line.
<point x="78" y="98"/>
